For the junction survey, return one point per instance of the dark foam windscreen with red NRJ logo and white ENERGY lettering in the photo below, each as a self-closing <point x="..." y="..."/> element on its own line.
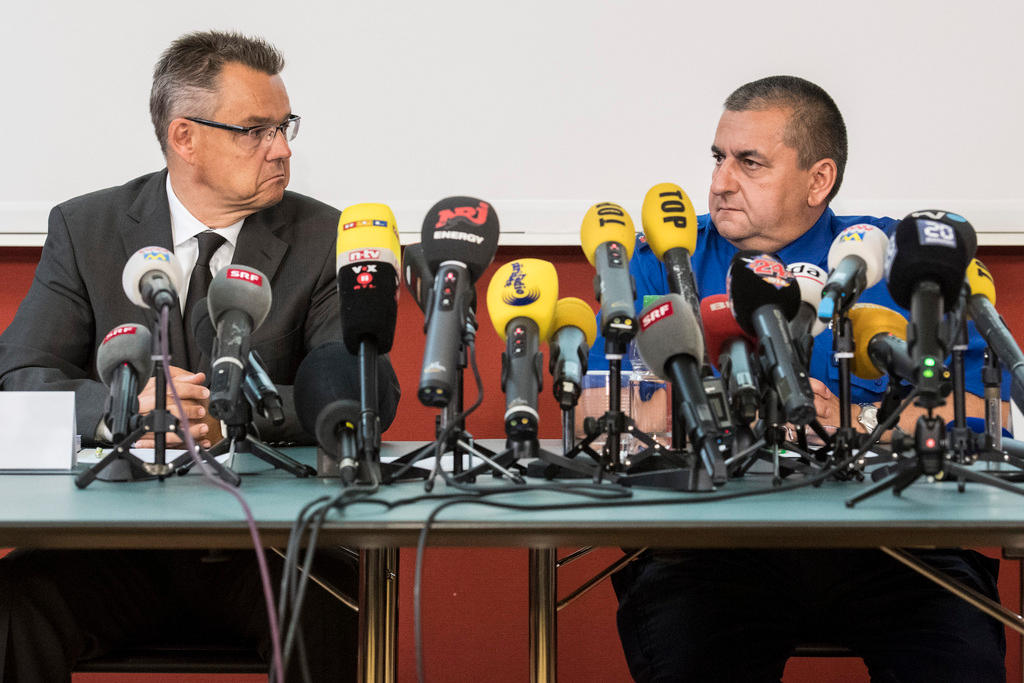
<point x="462" y="230"/>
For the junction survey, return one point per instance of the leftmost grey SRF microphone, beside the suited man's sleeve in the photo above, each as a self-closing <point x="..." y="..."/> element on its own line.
<point x="124" y="361"/>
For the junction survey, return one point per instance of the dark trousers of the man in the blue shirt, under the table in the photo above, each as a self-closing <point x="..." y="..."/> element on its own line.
<point x="737" y="615"/>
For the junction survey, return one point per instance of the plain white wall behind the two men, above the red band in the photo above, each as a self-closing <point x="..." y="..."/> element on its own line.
<point x="543" y="108"/>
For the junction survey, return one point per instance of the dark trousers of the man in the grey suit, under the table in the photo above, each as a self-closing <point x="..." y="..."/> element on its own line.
<point x="60" y="607"/>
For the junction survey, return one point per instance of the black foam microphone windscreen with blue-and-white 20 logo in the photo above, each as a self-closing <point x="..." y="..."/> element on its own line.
<point x="929" y="246"/>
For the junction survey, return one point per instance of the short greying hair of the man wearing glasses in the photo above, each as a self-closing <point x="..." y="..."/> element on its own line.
<point x="185" y="80"/>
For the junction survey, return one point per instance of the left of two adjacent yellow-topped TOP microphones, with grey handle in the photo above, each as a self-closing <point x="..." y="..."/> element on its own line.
<point x="608" y="238"/>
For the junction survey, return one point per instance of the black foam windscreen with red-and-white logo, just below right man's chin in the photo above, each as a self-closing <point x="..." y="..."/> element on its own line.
<point x="756" y="280"/>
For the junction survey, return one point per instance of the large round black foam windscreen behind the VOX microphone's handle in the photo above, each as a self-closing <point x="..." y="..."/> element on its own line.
<point x="330" y="373"/>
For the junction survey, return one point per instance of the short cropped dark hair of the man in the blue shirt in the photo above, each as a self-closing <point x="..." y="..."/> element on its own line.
<point x="816" y="130"/>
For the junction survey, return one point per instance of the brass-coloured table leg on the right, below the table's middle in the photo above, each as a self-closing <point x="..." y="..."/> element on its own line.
<point x="543" y="620"/>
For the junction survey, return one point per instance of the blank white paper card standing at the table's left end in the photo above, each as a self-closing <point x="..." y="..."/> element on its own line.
<point x="37" y="431"/>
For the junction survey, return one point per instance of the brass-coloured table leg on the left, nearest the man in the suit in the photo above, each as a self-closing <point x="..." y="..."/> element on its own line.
<point x="378" y="616"/>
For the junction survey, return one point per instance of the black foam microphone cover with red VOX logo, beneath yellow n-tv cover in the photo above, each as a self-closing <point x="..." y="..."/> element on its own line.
<point x="369" y="295"/>
